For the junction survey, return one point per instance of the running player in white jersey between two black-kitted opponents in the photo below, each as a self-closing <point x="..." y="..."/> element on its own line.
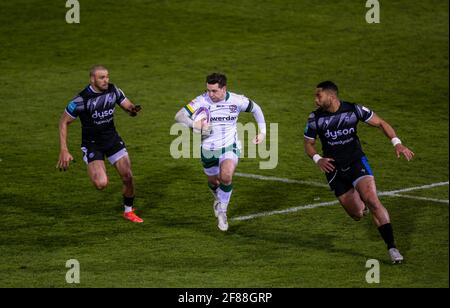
<point x="220" y="148"/>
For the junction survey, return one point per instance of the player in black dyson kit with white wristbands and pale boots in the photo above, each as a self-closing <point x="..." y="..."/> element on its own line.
<point x="346" y="167"/>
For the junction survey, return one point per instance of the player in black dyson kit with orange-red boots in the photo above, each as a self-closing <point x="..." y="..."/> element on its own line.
<point x="95" y="107"/>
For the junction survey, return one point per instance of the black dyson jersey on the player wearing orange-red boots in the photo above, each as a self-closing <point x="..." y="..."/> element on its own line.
<point x="96" y="112"/>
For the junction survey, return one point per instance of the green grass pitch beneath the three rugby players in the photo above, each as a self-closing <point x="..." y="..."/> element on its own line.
<point x="275" y="52"/>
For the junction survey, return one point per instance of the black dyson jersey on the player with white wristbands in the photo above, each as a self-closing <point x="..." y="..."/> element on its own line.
<point x="338" y="132"/>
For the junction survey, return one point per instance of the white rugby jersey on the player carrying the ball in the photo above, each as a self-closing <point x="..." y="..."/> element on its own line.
<point x="224" y="117"/>
